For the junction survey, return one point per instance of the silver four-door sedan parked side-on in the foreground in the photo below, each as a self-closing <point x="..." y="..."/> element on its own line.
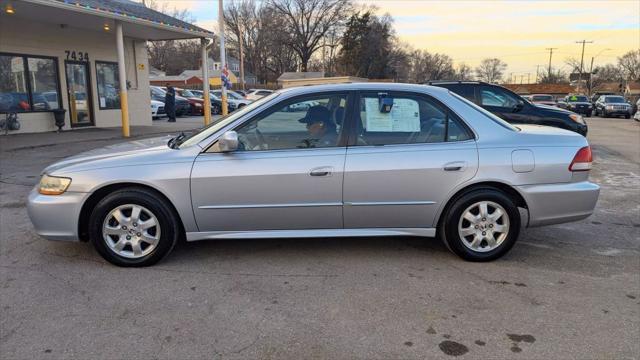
<point x="365" y="160"/>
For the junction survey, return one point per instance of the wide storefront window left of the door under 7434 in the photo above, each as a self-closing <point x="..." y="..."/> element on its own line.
<point x="28" y="83"/>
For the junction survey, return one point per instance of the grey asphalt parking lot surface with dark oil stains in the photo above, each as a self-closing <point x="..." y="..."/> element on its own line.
<point x="564" y="291"/>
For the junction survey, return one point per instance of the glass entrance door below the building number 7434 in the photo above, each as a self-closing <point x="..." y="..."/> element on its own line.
<point x="79" y="93"/>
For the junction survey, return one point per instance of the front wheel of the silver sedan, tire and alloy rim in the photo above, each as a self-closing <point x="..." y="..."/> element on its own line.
<point x="124" y="234"/>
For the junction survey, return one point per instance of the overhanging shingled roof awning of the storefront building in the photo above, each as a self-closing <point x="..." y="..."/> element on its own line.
<point x="137" y="20"/>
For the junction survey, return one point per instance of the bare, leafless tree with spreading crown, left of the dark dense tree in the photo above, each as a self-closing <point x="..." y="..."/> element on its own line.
<point x="307" y="22"/>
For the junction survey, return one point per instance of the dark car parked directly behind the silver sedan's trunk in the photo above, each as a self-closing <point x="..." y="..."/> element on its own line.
<point x="512" y="107"/>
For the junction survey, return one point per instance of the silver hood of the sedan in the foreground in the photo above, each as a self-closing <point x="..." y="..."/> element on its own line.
<point x="129" y="152"/>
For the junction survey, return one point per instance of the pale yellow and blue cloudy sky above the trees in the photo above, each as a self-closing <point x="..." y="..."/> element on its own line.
<point x="517" y="32"/>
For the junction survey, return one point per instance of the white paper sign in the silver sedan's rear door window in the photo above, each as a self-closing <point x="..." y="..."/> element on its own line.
<point x="404" y="116"/>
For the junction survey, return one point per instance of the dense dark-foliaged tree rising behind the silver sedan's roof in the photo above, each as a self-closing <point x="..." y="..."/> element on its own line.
<point x="366" y="46"/>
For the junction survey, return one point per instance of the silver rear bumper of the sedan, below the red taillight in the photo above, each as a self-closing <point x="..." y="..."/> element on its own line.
<point x="559" y="203"/>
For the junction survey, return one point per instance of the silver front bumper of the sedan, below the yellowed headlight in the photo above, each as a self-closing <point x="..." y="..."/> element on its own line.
<point x="55" y="217"/>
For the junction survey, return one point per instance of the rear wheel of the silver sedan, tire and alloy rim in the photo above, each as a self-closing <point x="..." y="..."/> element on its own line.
<point x="468" y="202"/>
